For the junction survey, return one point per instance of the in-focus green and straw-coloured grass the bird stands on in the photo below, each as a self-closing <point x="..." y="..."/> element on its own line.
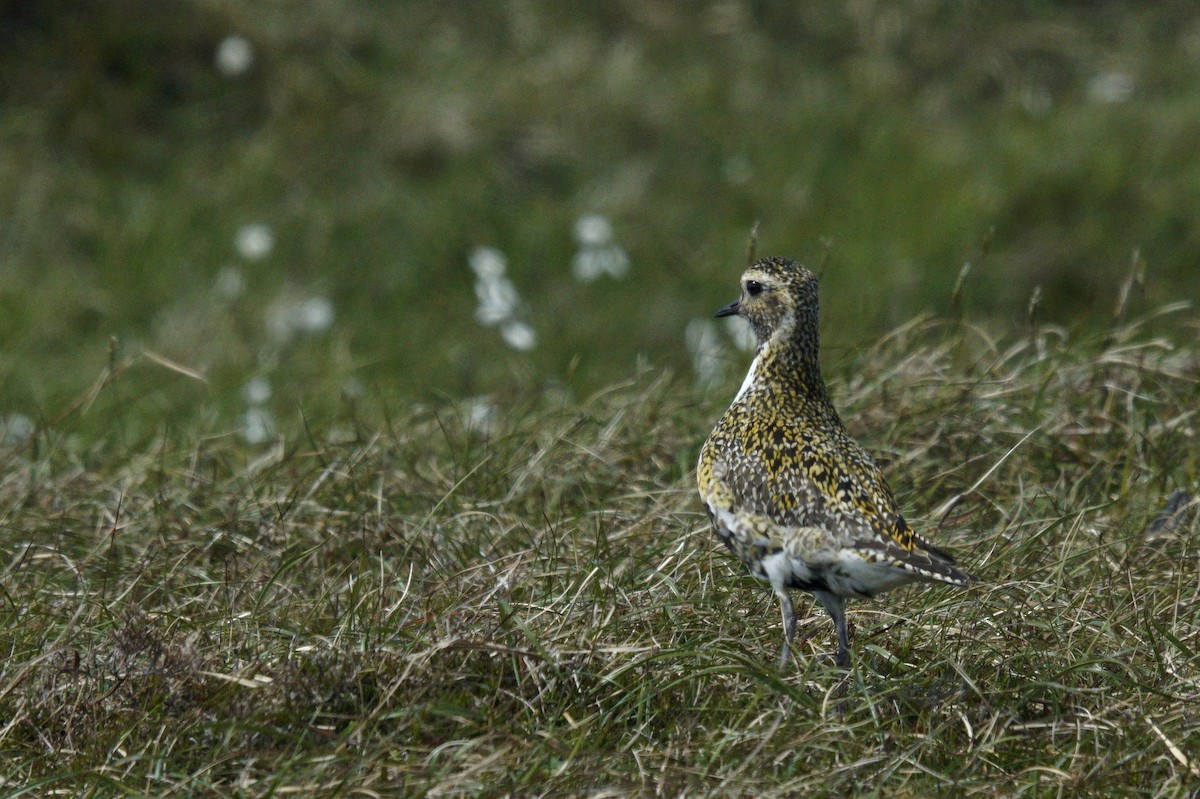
<point x="527" y="602"/>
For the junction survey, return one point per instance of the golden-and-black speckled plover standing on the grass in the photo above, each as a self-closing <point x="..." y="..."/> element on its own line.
<point x="788" y="490"/>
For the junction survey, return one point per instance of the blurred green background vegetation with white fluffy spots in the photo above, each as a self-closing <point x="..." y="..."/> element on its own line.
<point x="289" y="199"/>
